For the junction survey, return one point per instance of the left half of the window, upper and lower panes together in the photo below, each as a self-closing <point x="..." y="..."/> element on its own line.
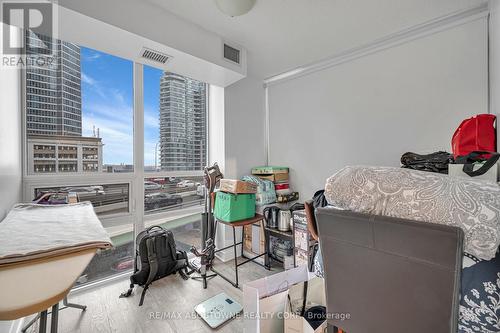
<point x="79" y="125"/>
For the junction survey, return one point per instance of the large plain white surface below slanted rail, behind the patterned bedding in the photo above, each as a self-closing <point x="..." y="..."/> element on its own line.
<point x="373" y="109"/>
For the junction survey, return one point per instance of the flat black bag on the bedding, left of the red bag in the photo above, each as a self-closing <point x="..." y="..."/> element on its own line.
<point x="435" y="162"/>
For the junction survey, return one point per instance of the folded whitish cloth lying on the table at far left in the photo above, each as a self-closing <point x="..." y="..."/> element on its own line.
<point x="32" y="231"/>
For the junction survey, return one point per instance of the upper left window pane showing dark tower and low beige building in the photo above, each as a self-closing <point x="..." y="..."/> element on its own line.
<point x="79" y="110"/>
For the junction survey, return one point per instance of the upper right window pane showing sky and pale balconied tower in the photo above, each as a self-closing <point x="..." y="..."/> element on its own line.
<point x="175" y="122"/>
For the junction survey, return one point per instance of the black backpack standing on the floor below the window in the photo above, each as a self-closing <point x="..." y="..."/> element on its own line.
<point x="156" y="257"/>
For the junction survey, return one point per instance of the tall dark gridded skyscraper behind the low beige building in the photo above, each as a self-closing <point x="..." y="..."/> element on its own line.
<point x="53" y="87"/>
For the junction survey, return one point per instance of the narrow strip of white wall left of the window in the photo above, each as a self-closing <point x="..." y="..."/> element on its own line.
<point x="10" y="137"/>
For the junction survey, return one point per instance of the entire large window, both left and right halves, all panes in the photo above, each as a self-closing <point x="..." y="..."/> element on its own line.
<point x="80" y="139"/>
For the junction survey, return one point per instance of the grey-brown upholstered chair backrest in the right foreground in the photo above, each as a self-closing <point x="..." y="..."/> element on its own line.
<point x="388" y="274"/>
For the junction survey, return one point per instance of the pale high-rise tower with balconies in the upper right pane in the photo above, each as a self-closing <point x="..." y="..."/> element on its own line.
<point x="183" y="137"/>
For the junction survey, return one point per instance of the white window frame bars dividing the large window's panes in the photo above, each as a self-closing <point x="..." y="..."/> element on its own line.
<point x="135" y="180"/>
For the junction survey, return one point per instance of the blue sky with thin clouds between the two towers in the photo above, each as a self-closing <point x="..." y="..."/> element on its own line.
<point x="107" y="104"/>
